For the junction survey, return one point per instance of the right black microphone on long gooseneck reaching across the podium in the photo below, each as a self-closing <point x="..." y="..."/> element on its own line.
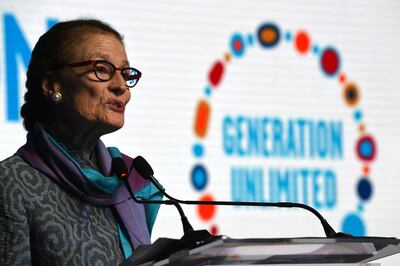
<point x="145" y="170"/>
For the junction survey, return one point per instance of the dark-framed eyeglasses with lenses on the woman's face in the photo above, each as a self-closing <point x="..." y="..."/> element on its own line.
<point x="105" y="71"/>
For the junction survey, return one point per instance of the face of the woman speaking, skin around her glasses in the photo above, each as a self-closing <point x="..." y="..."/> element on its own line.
<point x="87" y="101"/>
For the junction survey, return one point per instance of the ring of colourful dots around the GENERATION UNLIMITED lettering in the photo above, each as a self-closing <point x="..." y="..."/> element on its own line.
<point x="268" y="36"/>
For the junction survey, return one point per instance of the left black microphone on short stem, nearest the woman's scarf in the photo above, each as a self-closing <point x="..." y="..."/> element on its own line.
<point x="121" y="171"/>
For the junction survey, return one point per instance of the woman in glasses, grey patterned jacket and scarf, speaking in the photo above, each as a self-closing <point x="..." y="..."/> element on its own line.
<point x="60" y="203"/>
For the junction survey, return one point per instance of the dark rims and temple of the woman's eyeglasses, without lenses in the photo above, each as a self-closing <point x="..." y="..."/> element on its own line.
<point x="136" y="76"/>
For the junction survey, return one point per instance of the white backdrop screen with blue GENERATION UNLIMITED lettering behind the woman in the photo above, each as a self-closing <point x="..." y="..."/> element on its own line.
<point x="176" y="44"/>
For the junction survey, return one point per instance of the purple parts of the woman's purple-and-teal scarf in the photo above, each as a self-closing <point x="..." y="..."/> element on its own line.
<point x="42" y="155"/>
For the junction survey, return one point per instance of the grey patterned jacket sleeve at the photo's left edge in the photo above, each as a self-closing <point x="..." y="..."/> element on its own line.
<point x="14" y="226"/>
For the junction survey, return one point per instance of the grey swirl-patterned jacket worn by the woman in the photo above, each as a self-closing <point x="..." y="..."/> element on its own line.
<point x="41" y="224"/>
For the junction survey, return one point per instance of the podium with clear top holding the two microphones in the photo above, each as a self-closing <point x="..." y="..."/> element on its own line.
<point x="223" y="250"/>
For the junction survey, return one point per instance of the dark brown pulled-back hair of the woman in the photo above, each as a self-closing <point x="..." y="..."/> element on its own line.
<point x="54" y="48"/>
